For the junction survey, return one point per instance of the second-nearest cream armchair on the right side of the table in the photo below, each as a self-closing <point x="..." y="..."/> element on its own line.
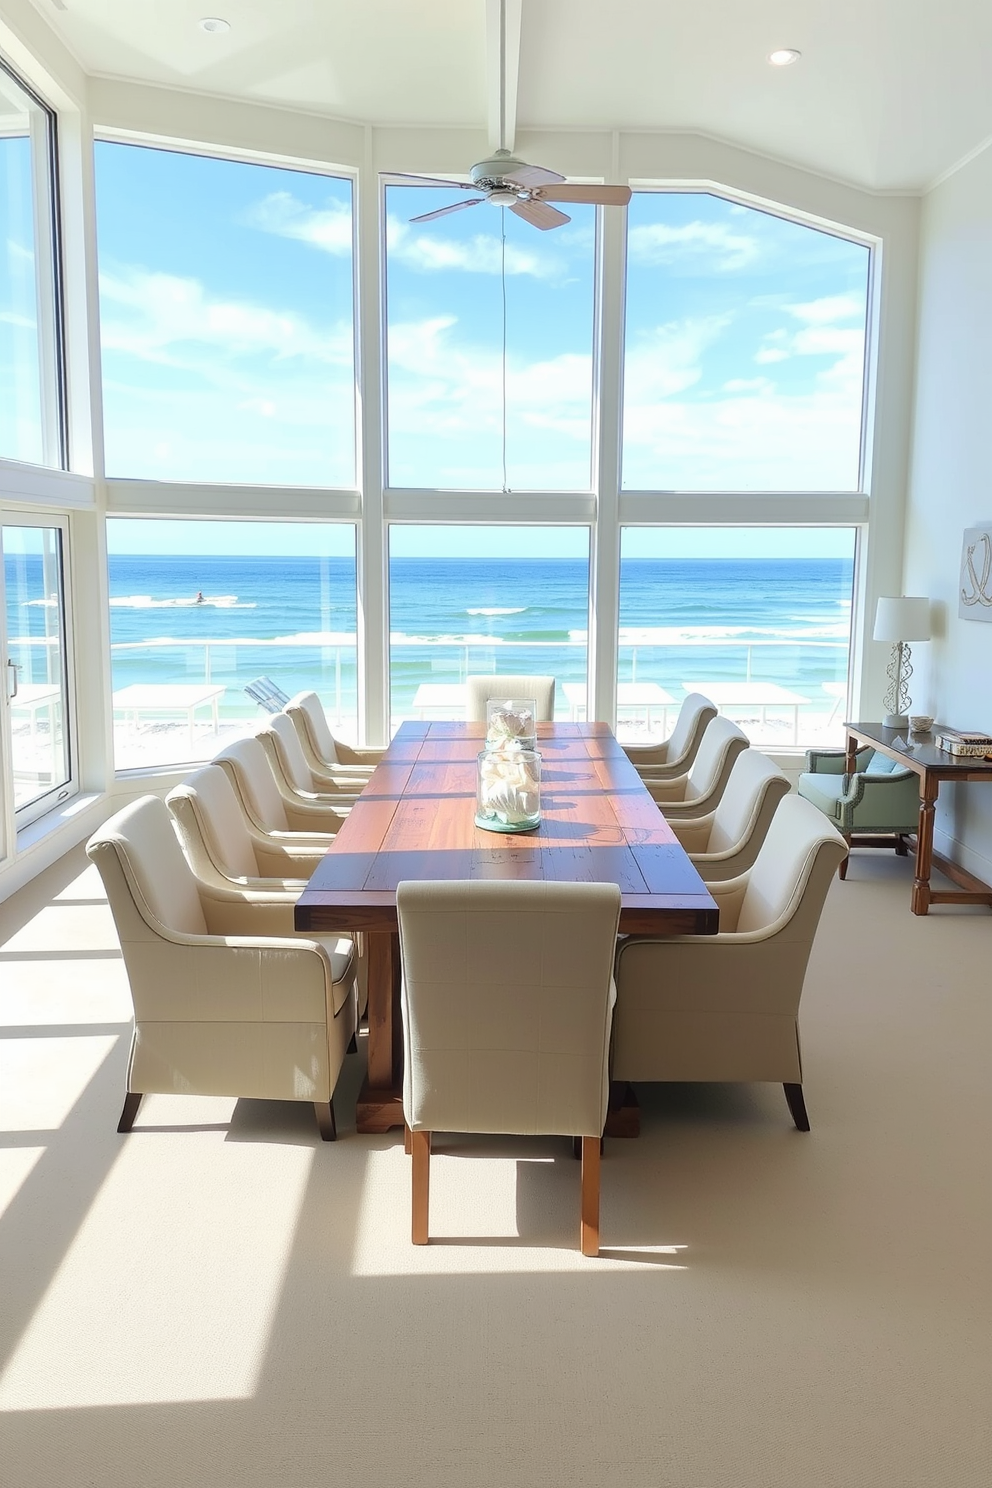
<point x="727" y="841"/>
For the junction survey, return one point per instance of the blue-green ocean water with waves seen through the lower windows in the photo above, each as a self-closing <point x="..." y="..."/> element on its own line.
<point x="294" y="620"/>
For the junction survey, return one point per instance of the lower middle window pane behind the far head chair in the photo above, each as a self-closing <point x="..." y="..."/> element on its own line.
<point x="477" y="600"/>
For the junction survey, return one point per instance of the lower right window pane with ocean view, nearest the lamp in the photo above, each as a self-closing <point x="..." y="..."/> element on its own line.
<point x="759" y="620"/>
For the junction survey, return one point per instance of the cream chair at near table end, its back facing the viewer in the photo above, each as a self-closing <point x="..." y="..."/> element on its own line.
<point x="508" y="998"/>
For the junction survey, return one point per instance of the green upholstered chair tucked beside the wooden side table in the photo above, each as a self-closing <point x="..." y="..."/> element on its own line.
<point x="877" y="806"/>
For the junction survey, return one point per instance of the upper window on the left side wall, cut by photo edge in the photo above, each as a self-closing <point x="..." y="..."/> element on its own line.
<point x="32" y="403"/>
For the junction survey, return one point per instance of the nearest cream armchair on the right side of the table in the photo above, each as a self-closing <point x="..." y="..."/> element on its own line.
<point x="727" y="1007"/>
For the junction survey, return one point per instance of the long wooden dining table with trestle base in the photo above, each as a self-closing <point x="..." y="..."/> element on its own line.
<point x="416" y="819"/>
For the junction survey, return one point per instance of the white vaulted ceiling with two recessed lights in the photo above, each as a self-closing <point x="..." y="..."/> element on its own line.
<point x="889" y="94"/>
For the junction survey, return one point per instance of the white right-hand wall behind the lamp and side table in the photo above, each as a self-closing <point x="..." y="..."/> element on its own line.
<point x="951" y="478"/>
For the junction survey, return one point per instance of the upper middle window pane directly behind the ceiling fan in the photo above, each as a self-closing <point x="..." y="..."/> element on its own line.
<point x="469" y="408"/>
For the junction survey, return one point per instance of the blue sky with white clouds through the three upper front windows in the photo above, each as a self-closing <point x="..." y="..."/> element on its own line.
<point x="227" y="312"/>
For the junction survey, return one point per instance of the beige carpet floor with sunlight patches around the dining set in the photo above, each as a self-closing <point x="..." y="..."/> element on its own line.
<point x="221" y="1300"/>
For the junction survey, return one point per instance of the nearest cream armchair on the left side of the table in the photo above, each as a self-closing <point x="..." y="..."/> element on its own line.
<point x="218" y="1013"/>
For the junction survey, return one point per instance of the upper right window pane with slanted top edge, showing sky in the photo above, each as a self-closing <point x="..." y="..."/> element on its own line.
<point x="746" y="339"/>
